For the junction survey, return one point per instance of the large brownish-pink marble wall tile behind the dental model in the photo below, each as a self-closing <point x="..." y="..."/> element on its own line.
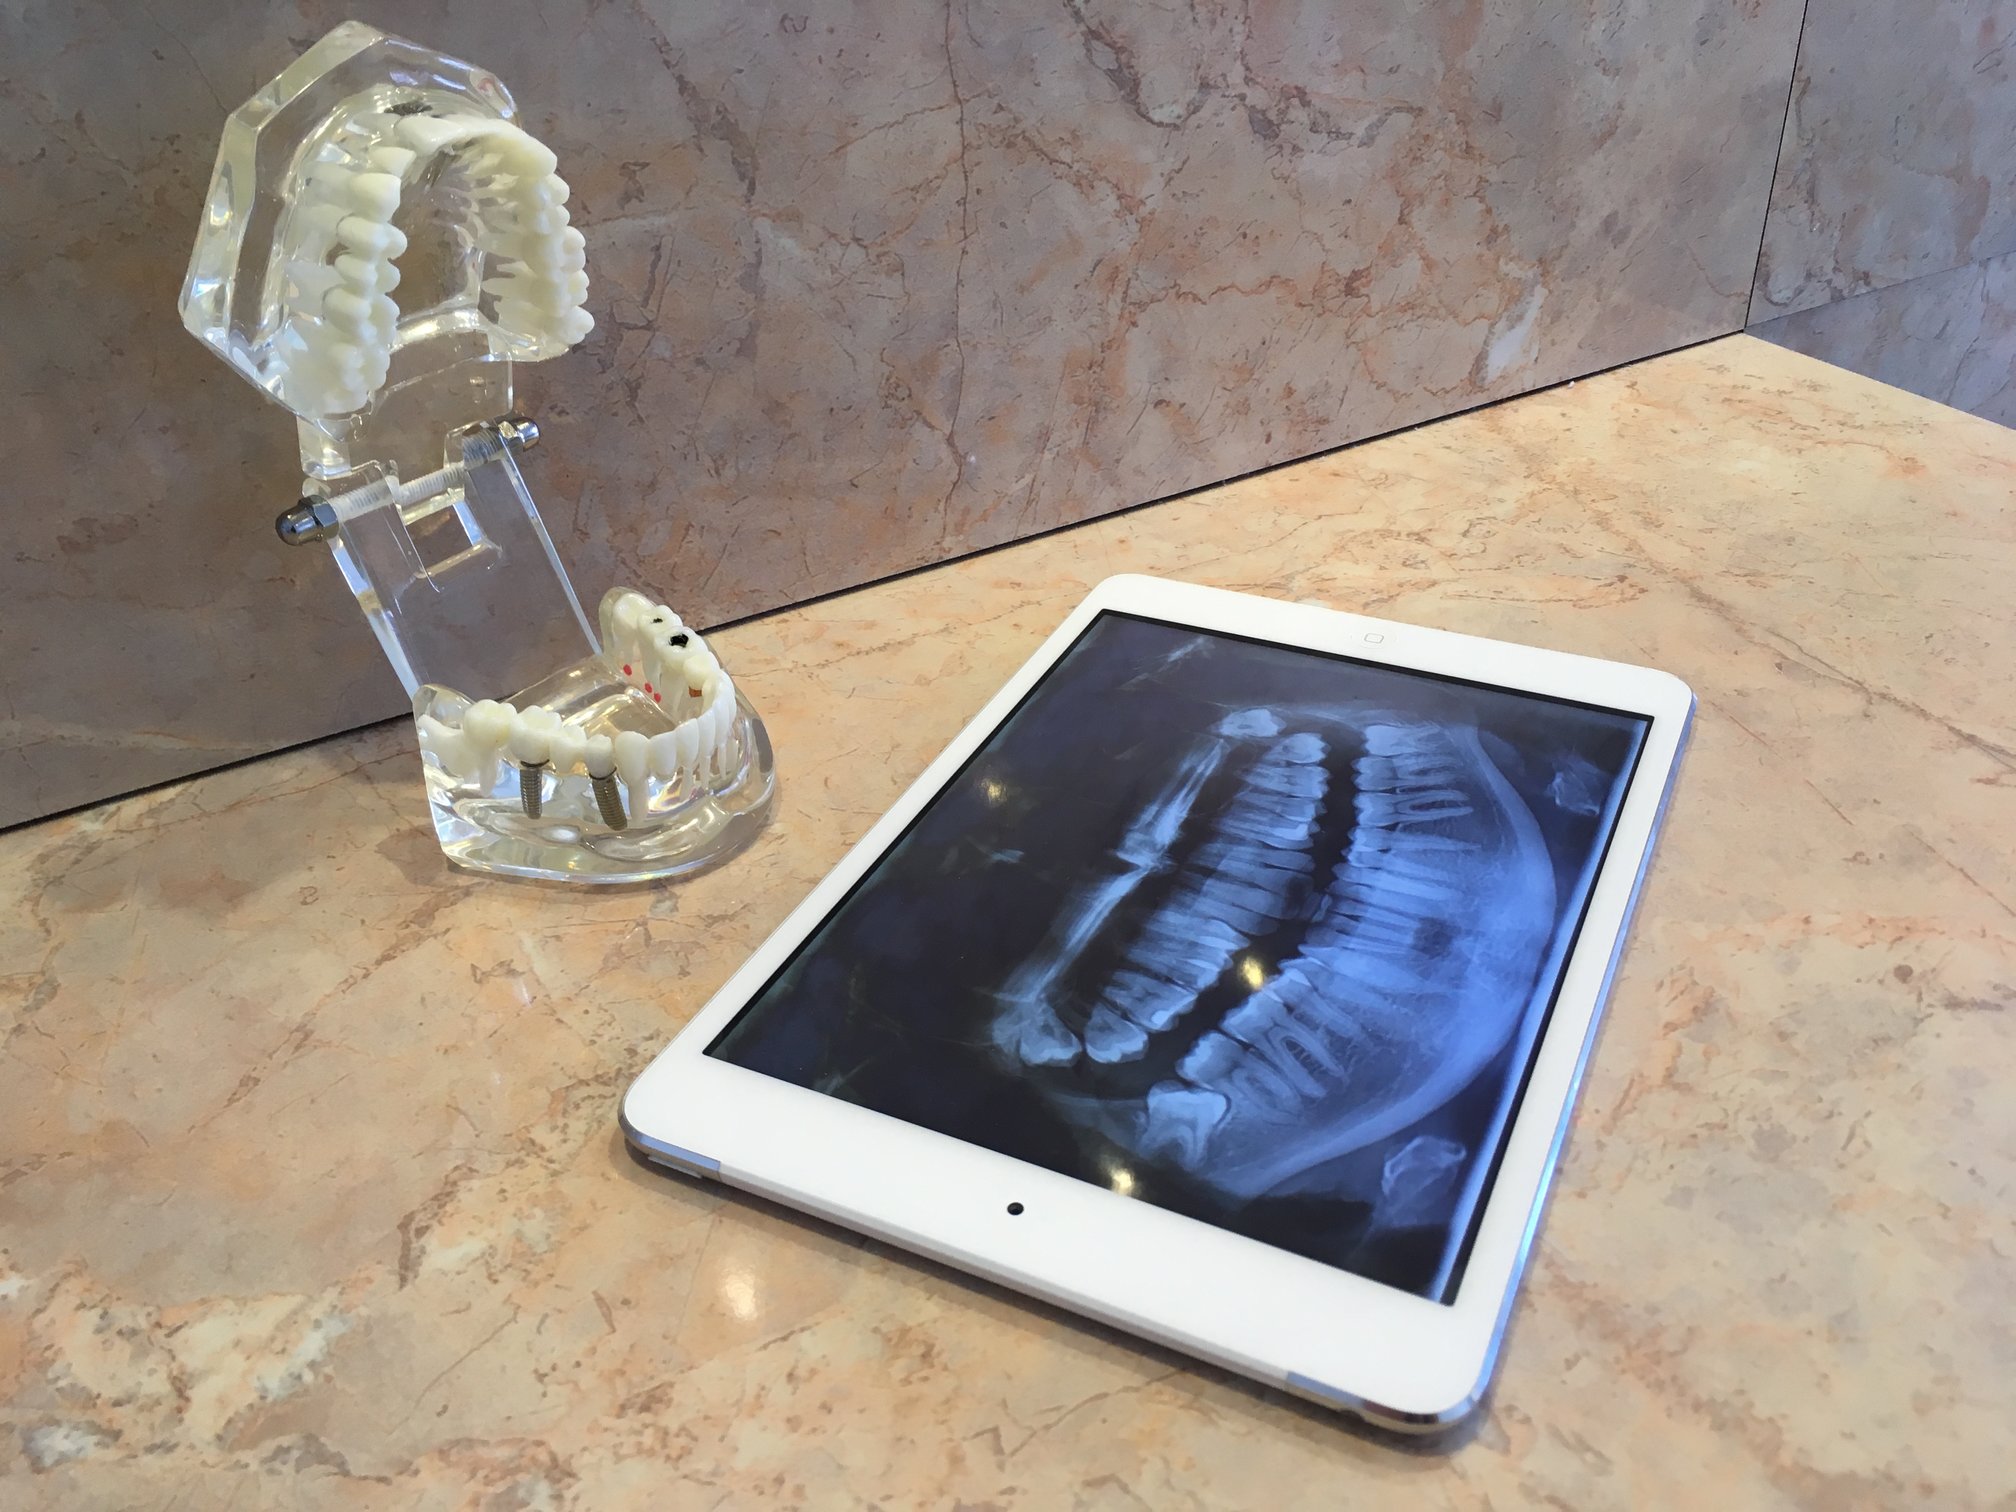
<point x="878" y="283"/>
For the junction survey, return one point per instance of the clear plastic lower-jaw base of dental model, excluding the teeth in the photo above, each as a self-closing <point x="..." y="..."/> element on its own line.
<point x="672" y="830"/>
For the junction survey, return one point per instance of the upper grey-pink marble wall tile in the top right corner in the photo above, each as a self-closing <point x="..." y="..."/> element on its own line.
<point x="1896" y="158"/>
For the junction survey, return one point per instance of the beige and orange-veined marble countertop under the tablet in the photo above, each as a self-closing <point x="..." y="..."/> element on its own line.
<point x="311" y="1190"/>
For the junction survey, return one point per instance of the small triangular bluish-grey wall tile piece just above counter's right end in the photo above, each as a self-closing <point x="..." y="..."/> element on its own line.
<point x="1950" y="336"/>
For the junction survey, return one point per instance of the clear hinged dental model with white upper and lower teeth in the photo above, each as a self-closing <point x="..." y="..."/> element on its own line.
<point x="380" y="245"/>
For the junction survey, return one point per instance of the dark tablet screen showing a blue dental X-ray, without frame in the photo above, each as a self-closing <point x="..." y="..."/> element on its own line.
<point x="1251" y="932"/>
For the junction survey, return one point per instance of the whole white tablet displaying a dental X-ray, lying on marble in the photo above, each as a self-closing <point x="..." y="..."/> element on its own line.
<point x="1229" y="981"/>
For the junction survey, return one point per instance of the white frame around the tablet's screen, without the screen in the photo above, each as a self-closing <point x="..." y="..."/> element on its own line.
<point x="1326" y="1334"/>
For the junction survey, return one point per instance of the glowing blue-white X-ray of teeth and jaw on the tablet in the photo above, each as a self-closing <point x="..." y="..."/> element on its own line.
<point x="1287" y="991"/>
